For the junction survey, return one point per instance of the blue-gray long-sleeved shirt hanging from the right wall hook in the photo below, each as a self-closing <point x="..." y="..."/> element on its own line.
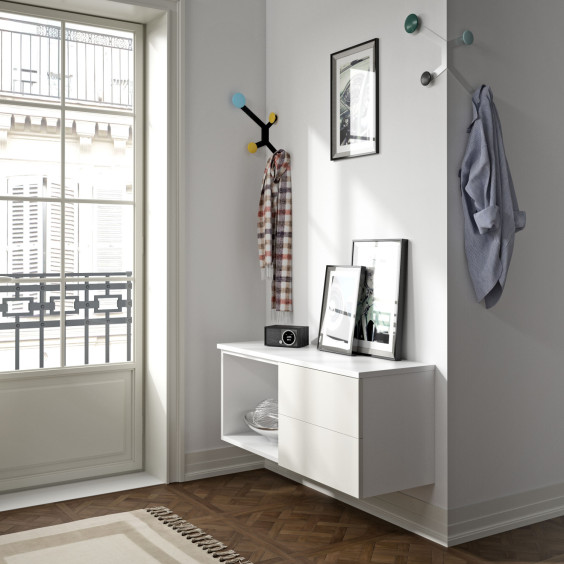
<point x="491" y="213"/>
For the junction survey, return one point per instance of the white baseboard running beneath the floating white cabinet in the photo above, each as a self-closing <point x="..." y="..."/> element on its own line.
<point x="407" y="512"/>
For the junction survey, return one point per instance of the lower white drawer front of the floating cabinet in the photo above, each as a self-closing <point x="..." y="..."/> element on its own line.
<point x="320" y="454"/>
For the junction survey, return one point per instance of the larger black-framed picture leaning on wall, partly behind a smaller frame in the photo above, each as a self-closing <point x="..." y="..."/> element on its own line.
<point x="379" y="320"/>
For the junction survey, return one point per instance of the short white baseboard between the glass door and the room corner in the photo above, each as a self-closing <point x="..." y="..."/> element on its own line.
<point x="218" y="462"/>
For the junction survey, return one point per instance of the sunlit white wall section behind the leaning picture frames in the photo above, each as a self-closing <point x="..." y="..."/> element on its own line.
<point x="399" y="193"/>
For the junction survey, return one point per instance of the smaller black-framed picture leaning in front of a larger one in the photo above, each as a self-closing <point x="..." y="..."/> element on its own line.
<point x="339" y="307"/>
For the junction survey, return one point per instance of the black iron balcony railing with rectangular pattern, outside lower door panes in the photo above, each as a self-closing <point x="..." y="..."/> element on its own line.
<point x="93" y="300"/>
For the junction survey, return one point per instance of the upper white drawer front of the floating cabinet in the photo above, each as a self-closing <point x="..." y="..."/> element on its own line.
<point x="320" y="398"/>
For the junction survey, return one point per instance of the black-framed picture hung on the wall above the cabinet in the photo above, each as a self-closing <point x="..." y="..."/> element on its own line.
<point x="354" y="101"/>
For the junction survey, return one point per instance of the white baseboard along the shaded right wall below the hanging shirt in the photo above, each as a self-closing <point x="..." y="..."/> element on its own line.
<point x="504" y="514"/>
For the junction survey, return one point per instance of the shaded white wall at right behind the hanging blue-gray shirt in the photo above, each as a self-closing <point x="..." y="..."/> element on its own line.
<point x="505" y="364"/>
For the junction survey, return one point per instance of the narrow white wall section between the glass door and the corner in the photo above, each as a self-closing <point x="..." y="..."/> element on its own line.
<point x="225" y="296"/>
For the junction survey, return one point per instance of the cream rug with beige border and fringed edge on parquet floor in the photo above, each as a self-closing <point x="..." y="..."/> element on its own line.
<point x="145" y="536"/>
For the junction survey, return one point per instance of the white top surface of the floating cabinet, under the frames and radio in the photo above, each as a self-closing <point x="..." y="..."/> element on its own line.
<point x="356" y="366"/>
